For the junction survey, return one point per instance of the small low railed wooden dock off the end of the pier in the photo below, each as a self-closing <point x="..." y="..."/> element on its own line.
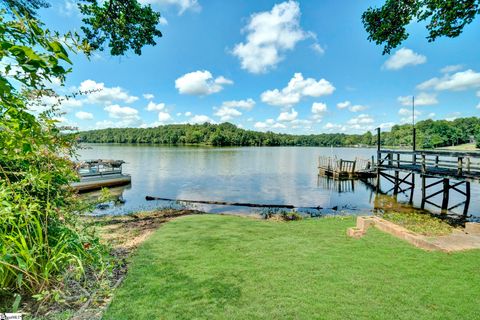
<point x="340" y="169"/>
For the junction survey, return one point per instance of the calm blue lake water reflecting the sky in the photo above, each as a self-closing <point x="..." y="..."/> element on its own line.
<point x="267" y="175"/>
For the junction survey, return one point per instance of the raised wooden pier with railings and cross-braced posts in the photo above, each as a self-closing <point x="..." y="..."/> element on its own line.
<point x="441" y="172"/>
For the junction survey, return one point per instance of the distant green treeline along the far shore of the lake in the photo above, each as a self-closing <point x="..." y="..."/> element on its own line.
<point x="430" y="134"/>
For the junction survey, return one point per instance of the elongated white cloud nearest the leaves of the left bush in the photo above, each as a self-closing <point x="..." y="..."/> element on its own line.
<point x="105" y="94"/>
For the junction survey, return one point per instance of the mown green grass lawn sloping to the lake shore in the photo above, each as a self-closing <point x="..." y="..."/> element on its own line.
<point x="224" y="267"/>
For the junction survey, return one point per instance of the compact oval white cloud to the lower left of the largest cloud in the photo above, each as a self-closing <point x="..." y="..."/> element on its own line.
<point x="200" y="83"/>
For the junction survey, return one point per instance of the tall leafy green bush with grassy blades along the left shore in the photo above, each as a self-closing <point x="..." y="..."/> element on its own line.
<point x="39" y="239"/>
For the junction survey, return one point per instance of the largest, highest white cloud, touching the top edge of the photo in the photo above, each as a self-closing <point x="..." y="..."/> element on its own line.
<point x="269" y="35"/>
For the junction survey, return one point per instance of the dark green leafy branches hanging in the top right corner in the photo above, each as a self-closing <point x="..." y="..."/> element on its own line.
<point x="444" y="18"/>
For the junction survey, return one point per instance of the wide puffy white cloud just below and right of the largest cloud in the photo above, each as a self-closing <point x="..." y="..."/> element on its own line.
<point x="297" y="88"/>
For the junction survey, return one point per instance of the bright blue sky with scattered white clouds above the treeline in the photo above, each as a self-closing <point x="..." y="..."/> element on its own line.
<point x="295" y="67"/>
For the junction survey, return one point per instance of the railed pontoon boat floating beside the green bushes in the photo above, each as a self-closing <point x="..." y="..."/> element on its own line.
<point x="98" y="174"/>
